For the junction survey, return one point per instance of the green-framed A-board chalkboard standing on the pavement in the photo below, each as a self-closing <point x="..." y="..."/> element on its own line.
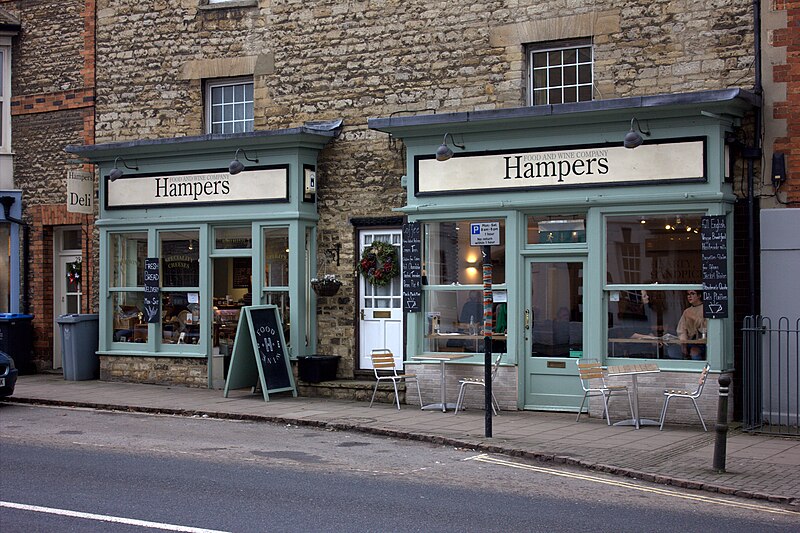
<point x="259" y="353"/>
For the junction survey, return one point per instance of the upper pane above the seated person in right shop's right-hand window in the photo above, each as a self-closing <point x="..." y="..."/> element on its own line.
<point x="654" y="249"/>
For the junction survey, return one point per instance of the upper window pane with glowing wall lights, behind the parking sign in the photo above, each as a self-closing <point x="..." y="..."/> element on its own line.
<point x="449" y="258"/>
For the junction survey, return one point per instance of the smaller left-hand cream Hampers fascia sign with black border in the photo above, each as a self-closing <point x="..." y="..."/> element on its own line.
<point x="184" y="190"/>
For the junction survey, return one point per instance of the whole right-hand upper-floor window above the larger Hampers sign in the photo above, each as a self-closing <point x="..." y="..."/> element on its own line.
<point x="560" y="73"/>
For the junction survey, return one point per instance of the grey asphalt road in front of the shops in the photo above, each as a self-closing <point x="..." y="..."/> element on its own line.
<point x="132" y="472"/>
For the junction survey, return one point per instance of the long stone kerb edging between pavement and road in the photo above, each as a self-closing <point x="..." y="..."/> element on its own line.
<point x="660" y="479"/>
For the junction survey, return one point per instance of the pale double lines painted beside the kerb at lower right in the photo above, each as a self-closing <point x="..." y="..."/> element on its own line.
<point x="484" y="458"/>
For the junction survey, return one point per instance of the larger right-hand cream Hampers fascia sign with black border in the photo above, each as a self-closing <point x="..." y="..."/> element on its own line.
<point x="575" y="166"/>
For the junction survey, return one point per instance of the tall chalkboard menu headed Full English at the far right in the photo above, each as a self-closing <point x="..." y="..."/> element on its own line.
<point x="714" y="236"/>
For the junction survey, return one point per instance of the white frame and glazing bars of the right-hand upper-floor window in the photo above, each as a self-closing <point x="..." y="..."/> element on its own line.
<point x="560" y="46"/>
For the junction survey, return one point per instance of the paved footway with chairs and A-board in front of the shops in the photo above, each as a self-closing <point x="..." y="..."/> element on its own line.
<point x="758" y="466"/>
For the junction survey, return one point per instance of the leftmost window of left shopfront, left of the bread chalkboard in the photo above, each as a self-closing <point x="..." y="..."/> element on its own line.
<point x="127" y="252"/>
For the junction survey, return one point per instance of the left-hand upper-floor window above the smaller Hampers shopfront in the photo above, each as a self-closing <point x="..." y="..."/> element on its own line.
<point x="229" y="106"/>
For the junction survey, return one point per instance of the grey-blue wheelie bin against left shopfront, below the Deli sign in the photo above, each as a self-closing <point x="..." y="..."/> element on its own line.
<point x="79" y="342"/>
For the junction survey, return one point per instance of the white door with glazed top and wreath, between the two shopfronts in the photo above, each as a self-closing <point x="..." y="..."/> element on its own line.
<point x="380" y="308"/>
